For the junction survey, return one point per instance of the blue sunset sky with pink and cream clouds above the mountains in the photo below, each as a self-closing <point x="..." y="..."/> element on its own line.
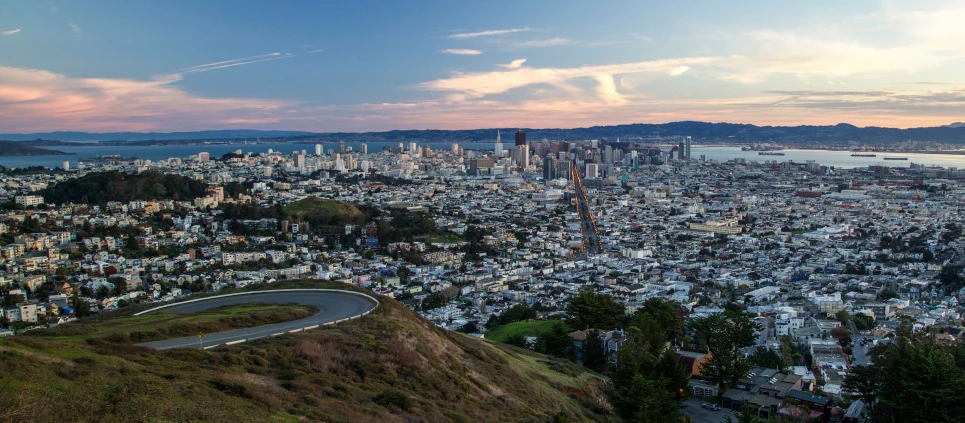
<point x="324" y="66"/>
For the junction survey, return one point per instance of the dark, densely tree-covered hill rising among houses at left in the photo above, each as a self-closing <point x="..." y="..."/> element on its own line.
<point x="101" y="187"/>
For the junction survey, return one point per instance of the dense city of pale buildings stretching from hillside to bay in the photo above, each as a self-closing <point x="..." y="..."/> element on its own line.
<point x="767" y="287"/>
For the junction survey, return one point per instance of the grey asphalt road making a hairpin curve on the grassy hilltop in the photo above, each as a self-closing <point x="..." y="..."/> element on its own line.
<point x="332" y="305"/>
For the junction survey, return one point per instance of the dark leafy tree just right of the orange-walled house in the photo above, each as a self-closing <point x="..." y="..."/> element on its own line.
<point x="724" y="335"/>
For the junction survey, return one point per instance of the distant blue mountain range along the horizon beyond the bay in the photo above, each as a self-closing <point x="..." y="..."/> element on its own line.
<point x="704" y="132"/>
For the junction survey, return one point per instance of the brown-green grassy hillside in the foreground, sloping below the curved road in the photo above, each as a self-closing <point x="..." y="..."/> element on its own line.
<point x="388" y="366"/>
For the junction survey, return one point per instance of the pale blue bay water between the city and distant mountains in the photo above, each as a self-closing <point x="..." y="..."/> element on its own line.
<point x="838" y="159"/>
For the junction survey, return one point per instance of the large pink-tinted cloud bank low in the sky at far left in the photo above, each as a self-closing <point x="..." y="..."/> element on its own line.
<point x="37" y="100"/>
